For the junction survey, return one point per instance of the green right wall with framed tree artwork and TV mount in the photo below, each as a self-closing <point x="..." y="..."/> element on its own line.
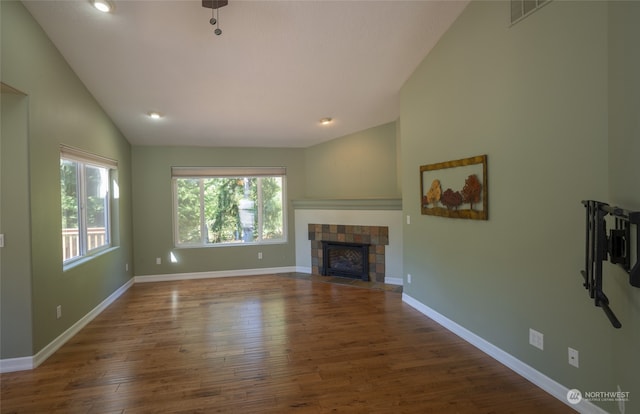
<point x="534" y="98"/>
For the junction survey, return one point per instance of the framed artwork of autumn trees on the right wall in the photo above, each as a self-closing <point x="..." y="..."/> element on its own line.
<point x="457" y="189"/>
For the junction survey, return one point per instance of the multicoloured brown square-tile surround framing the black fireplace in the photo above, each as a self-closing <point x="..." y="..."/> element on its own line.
<point x="376" y="236"/>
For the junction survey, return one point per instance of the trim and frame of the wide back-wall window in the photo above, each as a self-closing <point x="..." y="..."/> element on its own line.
<point x="222" y="172"/>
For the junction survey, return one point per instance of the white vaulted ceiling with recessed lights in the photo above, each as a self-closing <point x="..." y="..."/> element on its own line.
<point x="277" y="68"/>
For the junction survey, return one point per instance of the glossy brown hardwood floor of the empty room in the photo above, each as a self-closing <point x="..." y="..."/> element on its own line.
<point x="268" y="344"/>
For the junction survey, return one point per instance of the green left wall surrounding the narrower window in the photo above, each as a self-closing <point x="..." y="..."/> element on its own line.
<point x="59" y="111"/>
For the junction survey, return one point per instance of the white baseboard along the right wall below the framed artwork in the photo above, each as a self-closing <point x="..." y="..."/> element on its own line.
<point x="552" y="387"/>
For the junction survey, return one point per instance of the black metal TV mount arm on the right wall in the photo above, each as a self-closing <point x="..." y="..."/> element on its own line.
<point x="616" y="248"/>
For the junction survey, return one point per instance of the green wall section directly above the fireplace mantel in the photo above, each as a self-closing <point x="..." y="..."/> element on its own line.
<point x="360" y="165"/>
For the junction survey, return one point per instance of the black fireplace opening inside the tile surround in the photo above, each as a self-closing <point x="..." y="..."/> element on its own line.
<point x="345" y="259"/>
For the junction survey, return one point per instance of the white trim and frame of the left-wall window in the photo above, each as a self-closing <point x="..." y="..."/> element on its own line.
<point x="86" y="159"/>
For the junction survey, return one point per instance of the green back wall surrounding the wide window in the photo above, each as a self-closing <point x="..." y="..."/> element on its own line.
<point x="153" y="209"/>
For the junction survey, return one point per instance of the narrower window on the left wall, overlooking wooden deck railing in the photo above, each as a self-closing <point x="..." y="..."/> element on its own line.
<point x="85" y="201"/>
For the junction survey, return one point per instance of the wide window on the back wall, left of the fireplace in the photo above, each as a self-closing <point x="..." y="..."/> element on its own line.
<point x="228" y="206"/>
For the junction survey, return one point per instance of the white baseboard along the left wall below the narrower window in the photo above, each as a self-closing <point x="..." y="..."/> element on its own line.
<point x="26" y="363"/>
